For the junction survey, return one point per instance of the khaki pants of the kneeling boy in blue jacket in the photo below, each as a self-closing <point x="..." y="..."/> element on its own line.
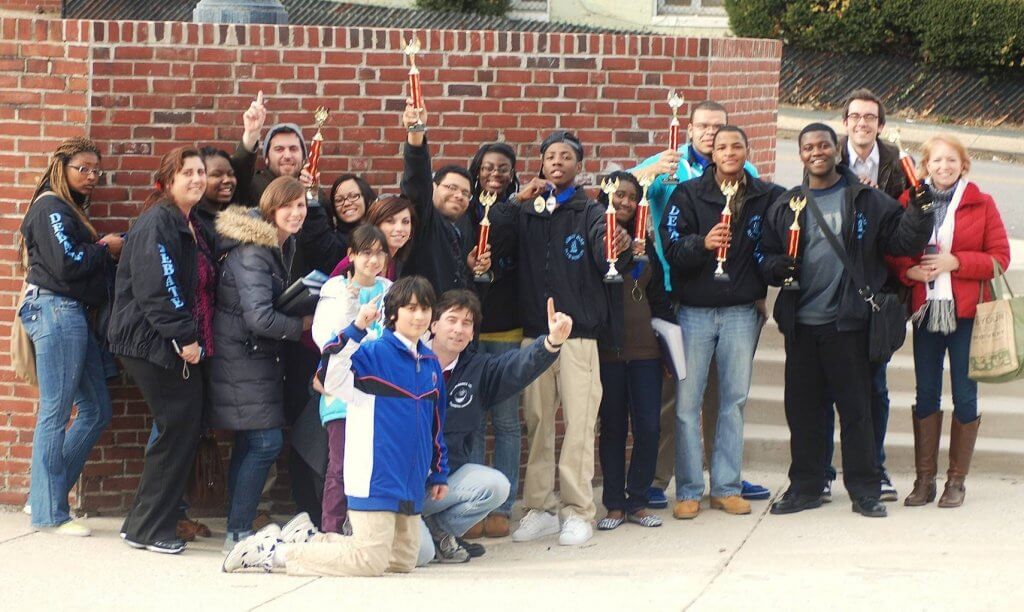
<point x="380" y="542"/>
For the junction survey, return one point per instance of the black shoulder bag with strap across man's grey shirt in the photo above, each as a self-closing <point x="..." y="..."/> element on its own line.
<point x="887" y="320"/>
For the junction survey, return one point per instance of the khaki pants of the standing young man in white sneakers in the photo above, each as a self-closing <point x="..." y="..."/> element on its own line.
<point x="574" y="381"/>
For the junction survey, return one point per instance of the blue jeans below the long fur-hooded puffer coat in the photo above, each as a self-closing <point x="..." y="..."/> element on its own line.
<point x="254" y="453"/>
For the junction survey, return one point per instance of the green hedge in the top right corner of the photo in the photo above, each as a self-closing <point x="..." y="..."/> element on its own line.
<point x="980" y="35"/>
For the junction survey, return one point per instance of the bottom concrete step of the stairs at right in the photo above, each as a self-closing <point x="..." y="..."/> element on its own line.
<point x="767" y="447"/>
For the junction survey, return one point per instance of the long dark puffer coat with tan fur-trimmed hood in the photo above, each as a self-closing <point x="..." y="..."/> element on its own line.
<point x="246" y="373"/>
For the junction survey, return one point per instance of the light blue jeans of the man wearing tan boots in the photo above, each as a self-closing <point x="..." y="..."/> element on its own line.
<point x="731" y="336"/>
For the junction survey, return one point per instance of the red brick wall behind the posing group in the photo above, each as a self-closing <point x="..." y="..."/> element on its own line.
<point x="140" y="90"/>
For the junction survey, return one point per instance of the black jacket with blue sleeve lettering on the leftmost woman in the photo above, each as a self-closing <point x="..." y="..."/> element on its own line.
<point x="64" y="256"/>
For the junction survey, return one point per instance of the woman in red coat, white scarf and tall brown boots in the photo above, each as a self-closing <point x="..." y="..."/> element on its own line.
<point x="946" y="283"/>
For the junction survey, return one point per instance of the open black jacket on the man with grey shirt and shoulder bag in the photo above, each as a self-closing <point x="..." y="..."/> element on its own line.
<point x="874" y="227"/>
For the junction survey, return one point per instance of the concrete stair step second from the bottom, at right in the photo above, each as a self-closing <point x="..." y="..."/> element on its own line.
<point x="1004" y="417"/>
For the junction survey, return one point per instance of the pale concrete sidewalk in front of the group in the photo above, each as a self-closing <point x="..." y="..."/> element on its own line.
<point x="917" y="559"/>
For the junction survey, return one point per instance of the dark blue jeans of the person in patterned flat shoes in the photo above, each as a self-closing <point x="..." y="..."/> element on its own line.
<point x="632" y="398"/>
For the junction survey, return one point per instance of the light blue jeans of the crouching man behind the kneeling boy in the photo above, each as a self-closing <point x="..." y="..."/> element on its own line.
<point x="474" y="493"/>
